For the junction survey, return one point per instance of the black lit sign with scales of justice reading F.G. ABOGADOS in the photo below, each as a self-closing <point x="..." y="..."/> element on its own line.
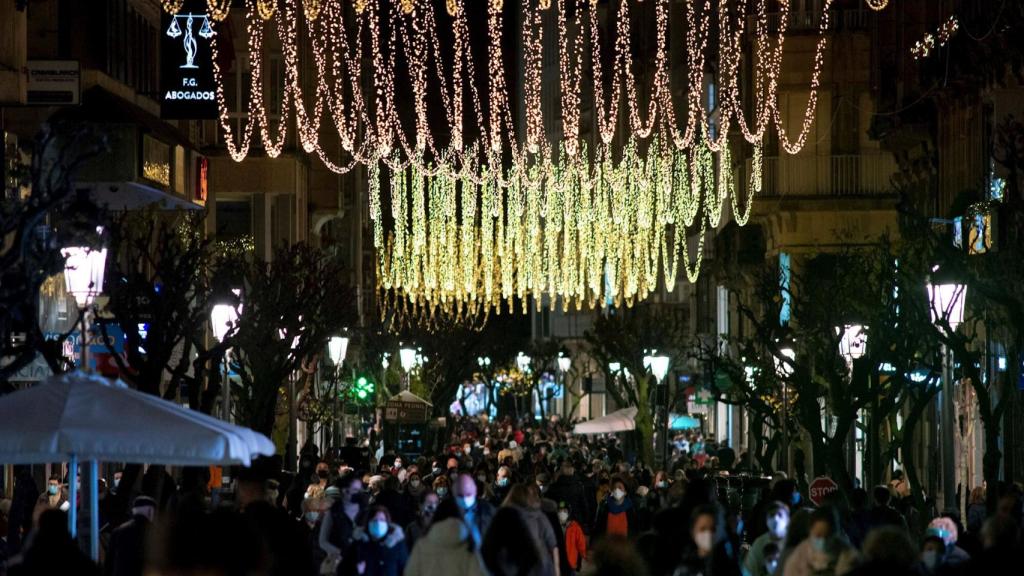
<point x="188" y="89"/>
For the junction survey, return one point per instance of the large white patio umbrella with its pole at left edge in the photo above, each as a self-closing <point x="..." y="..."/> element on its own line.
<point x="79" y="417"/>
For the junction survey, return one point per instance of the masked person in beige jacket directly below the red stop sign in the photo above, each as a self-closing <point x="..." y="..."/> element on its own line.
<point x="825" y="551"/>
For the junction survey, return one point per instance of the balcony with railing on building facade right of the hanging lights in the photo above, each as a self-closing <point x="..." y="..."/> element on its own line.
<point x="852" y="176"/>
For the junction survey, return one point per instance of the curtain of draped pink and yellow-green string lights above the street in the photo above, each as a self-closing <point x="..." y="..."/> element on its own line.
<point x="492" y="210"/>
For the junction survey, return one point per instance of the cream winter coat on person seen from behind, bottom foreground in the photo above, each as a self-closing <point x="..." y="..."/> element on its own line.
<point x="445" y="550"/>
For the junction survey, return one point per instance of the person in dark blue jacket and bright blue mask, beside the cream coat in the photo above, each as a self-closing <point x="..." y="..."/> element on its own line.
<point x="380" y="547"/>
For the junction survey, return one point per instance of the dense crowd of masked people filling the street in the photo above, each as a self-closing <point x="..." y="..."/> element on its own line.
<point x="510" y="500"/>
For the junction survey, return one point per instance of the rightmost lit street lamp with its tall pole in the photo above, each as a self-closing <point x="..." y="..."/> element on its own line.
<point x="947" y="308"/>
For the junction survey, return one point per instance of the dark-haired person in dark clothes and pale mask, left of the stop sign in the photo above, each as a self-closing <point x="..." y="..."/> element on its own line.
<point x="710" y="551"/>
